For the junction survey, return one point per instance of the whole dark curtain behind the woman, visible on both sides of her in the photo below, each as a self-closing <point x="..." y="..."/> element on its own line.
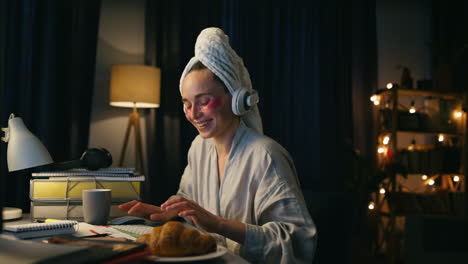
<point x="314" y="65"/>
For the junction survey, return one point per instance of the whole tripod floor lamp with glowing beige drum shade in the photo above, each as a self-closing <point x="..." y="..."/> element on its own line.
<point x="134" y="86"/>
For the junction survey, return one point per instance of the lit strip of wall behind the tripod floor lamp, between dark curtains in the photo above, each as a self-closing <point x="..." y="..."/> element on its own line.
<point x="120" y="41"/>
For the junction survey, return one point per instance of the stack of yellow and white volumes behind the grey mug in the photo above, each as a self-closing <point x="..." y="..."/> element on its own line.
<point x="58" y="194"/>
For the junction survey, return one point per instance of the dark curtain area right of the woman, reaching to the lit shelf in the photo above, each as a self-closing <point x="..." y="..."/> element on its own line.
<point x="314" y="65"/>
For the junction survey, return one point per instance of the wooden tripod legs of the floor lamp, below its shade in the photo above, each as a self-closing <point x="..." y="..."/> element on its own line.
<point x="133" y="121"/>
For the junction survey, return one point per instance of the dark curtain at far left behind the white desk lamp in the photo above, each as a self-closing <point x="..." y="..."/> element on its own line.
<point x="49" y="56"/>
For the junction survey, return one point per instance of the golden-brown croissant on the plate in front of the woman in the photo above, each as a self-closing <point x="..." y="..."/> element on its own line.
<point x="173" y="239"/>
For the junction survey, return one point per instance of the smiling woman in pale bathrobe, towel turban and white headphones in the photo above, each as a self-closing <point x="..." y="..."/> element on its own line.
<point x="238" y="183"/>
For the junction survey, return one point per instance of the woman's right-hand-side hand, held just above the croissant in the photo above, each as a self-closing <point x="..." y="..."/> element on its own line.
<point x="189" y="208"/>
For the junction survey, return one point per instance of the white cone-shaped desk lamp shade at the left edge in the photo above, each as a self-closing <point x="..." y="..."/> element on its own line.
<point x="24" y="149"/>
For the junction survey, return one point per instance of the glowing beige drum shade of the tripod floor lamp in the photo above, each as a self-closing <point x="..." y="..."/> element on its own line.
<point x="135" y="86"/>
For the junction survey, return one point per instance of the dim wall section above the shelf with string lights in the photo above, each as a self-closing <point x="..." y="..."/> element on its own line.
<point x="403" y="37"/>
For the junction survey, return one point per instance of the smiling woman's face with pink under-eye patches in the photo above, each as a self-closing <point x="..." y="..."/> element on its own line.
<point x="206" y="104"/>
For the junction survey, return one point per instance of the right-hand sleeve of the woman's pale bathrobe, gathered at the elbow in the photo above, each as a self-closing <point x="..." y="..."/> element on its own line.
<point x="284" y="231"/>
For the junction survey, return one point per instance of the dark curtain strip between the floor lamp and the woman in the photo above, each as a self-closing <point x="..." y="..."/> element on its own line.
<point x="171" y="30"/>
